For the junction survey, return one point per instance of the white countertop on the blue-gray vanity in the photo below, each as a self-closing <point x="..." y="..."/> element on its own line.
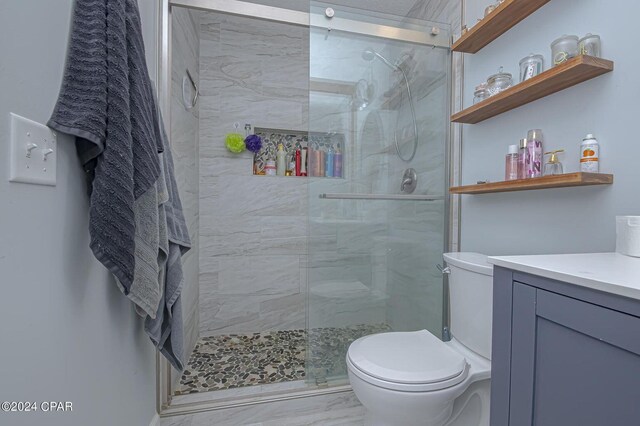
<point x="609" y="272"/>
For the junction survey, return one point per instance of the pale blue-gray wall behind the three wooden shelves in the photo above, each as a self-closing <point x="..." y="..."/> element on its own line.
<point x="556" y="220"/>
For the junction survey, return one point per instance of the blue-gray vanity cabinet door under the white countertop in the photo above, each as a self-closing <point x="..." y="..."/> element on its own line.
<point x="573" y="363"/>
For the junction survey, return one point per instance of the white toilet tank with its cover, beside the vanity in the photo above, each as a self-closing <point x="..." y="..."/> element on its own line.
<point x="471" y="300"/>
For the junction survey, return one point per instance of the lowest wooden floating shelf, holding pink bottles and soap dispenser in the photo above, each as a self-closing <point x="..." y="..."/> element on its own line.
<point x="554" y="181"/>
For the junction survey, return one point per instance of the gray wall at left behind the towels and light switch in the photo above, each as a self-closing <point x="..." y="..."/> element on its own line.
<point x="68" y="333"/>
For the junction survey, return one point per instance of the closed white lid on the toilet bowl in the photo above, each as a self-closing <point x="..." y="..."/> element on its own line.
<point x="406" y="357"/>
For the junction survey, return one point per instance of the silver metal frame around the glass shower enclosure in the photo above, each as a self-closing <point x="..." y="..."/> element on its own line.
<point x="164" y="388"/>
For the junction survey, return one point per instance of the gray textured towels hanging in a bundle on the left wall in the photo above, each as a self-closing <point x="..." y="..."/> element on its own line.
<point x="135" y="220"/>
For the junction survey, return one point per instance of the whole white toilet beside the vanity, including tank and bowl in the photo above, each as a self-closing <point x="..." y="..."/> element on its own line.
<point x="413" y="378"/>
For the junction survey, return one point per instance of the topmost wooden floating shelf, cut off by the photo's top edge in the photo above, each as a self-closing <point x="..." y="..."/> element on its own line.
<point x="498" y="22"/>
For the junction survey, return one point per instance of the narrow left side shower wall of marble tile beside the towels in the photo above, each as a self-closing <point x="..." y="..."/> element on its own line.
<point x="184" y="139"/>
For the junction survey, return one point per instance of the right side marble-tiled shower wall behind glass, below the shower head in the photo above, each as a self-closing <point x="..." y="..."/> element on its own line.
<point x="416" y="230"/>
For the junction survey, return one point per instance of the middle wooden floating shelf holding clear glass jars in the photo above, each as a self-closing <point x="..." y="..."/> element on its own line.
<point x="560" y="77"/>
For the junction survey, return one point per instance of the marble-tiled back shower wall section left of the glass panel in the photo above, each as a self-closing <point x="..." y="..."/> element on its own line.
<point x="253" y="230"/>
